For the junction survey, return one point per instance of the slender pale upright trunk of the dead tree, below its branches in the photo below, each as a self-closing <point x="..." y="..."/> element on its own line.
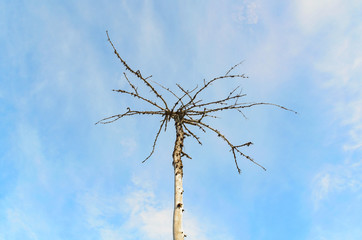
<point x="178" y="233"/>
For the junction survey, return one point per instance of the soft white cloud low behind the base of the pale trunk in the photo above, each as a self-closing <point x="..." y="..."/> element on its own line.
<point x="145" y="216"/>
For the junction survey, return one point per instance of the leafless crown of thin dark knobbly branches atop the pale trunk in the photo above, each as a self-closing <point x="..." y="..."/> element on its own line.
<point x="190" y="113"/>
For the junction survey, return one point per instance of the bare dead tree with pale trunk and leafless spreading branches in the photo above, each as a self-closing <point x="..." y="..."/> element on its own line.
<point x="188" y="112"/>
